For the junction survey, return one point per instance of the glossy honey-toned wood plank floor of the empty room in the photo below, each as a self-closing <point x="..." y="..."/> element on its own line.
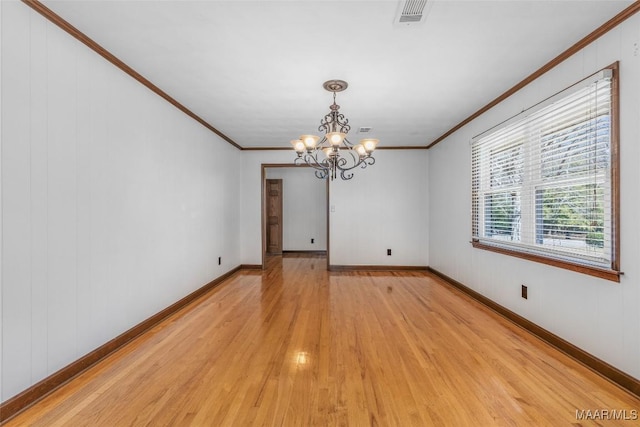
<point x="296" y="345"/>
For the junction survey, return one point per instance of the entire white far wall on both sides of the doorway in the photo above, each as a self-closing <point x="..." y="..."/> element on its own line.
<point x="383" y="206"/>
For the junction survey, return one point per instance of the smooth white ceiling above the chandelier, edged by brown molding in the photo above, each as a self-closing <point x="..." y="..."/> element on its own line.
<point x="254" y="69"/>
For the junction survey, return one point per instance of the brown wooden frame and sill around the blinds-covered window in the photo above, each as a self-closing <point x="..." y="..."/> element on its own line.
<point x="613" y="273"/>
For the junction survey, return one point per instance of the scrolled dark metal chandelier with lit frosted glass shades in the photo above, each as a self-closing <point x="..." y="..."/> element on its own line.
<point x="334" y="152"/>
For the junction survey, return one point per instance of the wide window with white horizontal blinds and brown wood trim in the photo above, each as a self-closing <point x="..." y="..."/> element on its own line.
<point x="544" y="183"/>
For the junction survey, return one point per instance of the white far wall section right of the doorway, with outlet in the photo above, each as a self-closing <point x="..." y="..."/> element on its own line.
<point x="384" y="206"/>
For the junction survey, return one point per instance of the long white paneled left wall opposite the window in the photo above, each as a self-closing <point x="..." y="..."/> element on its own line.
<point x="114" y="203"/>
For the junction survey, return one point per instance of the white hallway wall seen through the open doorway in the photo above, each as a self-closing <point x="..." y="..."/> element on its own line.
<point x="304" y="209"/>
